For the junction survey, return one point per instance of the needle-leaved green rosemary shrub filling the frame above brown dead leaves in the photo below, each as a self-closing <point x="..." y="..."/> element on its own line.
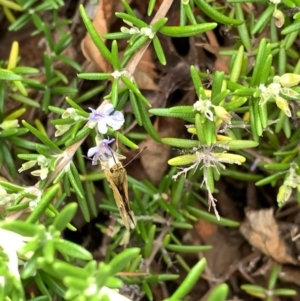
<point x="254" y="105"/>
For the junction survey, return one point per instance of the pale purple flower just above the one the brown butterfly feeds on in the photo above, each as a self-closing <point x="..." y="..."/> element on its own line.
<point x="104" y="118"/>
